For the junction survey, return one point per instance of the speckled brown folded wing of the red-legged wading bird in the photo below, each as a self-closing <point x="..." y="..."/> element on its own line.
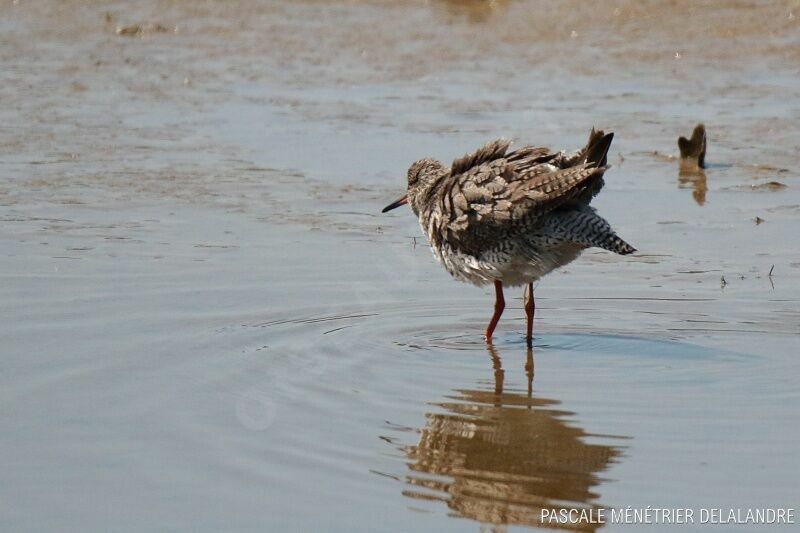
<point x="501" y="196"/>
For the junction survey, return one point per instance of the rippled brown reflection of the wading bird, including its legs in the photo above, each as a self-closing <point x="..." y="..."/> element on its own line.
<point x="500" y="457"/>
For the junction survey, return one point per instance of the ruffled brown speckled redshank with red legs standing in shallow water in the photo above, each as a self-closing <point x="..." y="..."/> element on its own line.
<point x="509" y="218"/>
